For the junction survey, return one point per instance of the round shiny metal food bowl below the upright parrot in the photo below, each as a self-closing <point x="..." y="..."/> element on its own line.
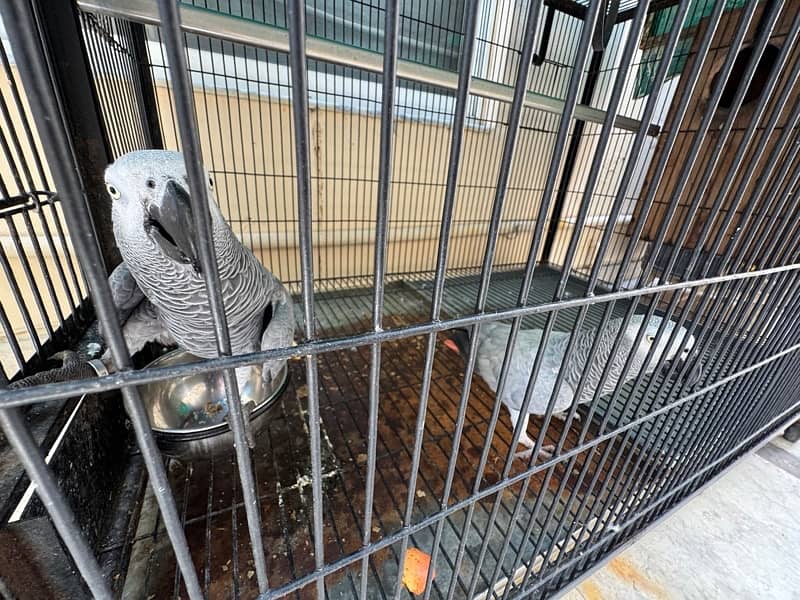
<point x="188" y="415"/>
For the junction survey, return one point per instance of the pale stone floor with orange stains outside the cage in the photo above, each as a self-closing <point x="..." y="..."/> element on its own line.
<point x="738" y="539"/>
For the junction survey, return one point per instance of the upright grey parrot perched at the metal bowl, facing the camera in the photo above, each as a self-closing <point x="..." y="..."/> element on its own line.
<point x="159" y="290"/>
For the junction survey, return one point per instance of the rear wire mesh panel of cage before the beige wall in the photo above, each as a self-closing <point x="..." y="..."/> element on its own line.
<point x="242" y="92"/>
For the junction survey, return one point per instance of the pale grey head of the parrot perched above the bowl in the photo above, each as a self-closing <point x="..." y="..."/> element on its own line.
<point x="151" y="205"/>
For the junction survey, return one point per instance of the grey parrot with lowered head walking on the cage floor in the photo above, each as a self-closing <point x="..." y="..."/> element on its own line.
<point x="492" y="346"/>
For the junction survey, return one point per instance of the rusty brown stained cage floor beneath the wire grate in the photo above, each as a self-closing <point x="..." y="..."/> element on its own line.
<point x="210" y="500"/>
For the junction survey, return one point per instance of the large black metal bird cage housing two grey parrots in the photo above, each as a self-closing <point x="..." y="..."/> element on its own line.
<point x="589" y="175"/>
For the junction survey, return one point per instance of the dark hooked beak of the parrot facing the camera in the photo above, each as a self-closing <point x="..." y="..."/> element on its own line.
<point x="172" y="227"/>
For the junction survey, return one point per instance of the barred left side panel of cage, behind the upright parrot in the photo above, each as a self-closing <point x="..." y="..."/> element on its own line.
<point x="42" y="286"/>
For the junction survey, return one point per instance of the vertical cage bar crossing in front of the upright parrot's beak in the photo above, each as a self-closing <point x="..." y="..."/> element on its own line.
<point x="186" y="116"/>
